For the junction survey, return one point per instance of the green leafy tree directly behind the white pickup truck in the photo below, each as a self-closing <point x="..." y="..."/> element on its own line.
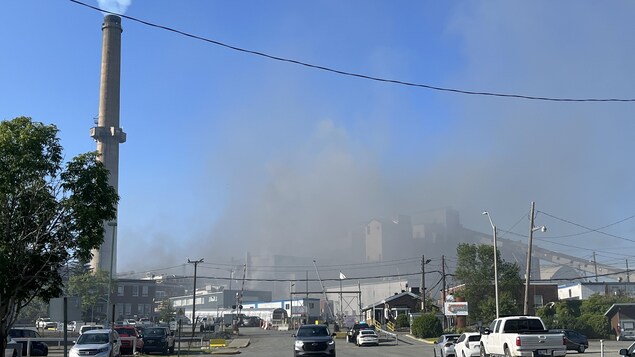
<point x="475" y="270"/>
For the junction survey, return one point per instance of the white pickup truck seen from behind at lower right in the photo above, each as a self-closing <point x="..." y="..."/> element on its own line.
<point x="521" y="336"/>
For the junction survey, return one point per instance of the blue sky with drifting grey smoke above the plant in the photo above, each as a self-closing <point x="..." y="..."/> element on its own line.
<point x="230" y="153"/>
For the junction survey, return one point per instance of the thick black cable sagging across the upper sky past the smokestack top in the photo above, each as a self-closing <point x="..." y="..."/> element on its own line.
<point x="357" y="75"/>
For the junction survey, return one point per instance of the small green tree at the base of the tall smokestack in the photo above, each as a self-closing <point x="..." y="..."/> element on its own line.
<point x="91" y="288"/>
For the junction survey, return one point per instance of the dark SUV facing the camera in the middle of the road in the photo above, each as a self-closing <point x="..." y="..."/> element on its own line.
<point x="313" y="340"/>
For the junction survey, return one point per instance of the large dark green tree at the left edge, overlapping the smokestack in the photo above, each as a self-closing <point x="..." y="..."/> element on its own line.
<point x="50" y="212"/>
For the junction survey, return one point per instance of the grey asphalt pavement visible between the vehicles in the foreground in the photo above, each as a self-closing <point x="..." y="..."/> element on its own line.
<point x="267" y="343"/>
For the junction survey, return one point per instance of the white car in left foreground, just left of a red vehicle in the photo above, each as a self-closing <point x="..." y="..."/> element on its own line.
<point x="97" y="343"/>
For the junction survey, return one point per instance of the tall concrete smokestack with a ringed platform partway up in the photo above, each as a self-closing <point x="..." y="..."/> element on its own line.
<point x="107" y="133"/>
